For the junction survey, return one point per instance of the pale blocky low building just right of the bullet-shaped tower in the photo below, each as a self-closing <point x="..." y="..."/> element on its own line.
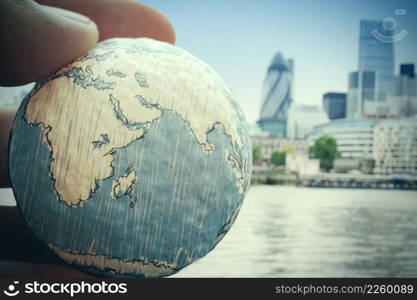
<point x="303" y="118"/>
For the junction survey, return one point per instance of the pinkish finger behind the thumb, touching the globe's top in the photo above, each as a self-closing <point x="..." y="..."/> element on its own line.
<point x="121" y="18"/>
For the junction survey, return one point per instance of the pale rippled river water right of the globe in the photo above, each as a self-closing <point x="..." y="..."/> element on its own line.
<point x="286" y="231"/>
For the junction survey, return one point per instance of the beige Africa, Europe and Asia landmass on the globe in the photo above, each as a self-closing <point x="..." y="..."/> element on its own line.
<point x="85" y="101"/>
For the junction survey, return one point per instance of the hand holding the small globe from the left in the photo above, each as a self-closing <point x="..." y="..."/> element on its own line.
<point x="36" y="40"/>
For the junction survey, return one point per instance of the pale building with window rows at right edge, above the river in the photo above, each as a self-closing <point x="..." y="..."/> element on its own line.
<point x="395" y="146"/>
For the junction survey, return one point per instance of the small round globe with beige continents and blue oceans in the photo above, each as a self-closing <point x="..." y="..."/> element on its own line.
<point x="133" y="160"/>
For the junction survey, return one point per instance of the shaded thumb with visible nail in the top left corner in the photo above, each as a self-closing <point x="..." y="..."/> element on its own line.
<point x="37" y="40"/>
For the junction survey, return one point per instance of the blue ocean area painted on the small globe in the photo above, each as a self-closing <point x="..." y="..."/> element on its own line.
<point x="172" y="215"/>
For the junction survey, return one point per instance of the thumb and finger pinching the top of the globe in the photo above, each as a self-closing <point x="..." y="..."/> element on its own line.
<point x="39" y="39"/>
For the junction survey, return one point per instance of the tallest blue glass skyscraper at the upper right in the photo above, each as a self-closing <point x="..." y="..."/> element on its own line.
<point x="376" y="53"/>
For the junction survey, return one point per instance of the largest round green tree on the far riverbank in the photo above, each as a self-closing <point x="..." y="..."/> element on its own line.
<point x="325" y="149"/>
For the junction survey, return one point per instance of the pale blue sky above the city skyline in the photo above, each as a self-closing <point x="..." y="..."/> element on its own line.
<point x="239" y="38"/>
